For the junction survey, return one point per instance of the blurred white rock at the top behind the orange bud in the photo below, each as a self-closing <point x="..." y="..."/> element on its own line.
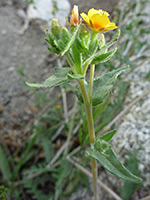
<point x="43" y="9"/>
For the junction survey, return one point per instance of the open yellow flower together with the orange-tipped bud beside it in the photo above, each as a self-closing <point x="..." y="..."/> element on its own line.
<point x="97" y="20"/>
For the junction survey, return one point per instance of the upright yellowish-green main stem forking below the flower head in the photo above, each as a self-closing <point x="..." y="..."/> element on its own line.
<point x="88" y="109"/>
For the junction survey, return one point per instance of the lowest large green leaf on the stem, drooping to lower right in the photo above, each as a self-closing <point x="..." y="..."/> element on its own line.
<point x="104" y="154"/>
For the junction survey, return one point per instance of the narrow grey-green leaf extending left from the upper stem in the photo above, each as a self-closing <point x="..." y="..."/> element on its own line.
<point x="61" y="76"/>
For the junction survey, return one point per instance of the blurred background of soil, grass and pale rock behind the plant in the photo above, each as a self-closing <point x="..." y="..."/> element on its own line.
<point x="34" y="124"/>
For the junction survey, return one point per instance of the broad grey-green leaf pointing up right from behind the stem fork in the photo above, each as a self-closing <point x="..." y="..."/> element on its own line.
<point x="103" y="84"/>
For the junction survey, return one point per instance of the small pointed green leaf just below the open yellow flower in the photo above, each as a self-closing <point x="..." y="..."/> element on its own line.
<point x="104" y="57"/>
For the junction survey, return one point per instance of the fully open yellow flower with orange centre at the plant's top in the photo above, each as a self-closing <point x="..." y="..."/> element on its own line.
<point x="98" y="20"/>
